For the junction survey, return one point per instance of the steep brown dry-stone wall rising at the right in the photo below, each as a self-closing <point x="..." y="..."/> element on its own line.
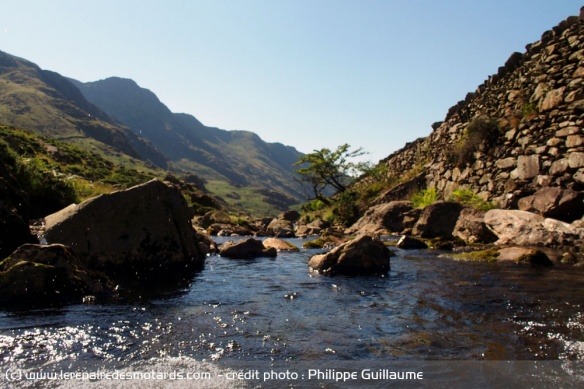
<point x="517" y="140"/>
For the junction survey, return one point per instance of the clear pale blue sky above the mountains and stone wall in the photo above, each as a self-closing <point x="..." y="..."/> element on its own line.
<point x="307" y="73"/>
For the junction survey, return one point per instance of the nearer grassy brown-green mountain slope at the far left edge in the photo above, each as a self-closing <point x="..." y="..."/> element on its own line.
<point x="46" y="102"/>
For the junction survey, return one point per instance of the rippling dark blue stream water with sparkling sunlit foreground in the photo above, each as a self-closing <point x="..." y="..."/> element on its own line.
<point x="272" y="316"/>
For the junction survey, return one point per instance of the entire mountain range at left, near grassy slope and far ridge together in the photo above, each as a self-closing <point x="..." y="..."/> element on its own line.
<point x="129" y="125"/>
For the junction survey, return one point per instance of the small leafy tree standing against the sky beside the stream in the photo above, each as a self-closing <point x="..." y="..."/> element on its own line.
<point x="323" y="169"/>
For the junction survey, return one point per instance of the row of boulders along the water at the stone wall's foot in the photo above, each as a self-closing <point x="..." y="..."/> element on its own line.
<point x="469" y="225"/>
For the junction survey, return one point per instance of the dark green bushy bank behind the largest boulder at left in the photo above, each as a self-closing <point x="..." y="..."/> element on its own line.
<point x="54" y="174"/>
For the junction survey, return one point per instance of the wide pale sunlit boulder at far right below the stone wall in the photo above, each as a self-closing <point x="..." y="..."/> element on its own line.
<point x="522" y="228"/>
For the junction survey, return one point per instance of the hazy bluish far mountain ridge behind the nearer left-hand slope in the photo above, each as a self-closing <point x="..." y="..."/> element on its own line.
<point x="239" y="157"/>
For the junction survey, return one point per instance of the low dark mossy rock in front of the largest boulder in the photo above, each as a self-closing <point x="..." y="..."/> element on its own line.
<point x="48" y="274"/>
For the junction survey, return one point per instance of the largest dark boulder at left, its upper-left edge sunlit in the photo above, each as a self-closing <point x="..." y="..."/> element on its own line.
<point x="143" y="229"/>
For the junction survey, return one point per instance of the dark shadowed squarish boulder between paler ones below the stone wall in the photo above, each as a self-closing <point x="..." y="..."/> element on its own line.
<point x="438" y="219"/>
